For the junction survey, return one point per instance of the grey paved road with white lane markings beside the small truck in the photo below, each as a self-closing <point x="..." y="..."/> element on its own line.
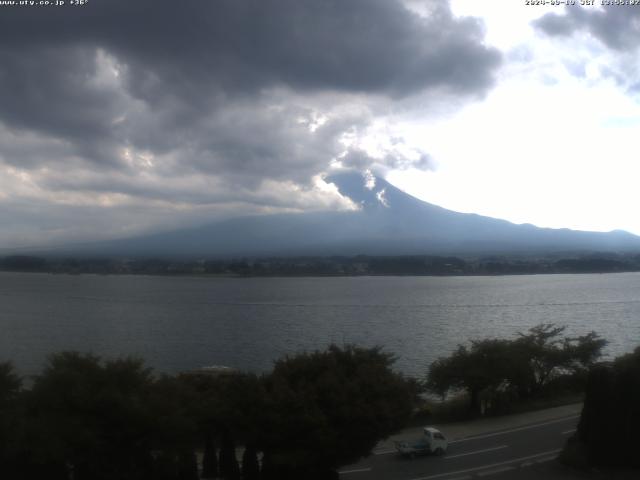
<point x="479" y="456"/>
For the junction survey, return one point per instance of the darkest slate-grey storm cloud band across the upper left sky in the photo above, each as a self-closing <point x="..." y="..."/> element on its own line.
<point x="184" y="59"/>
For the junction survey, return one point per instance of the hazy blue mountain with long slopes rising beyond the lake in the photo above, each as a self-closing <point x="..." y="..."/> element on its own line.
<point x="389" y="222"/>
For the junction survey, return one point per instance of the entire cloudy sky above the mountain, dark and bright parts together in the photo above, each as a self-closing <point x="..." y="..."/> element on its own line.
<point x="120" y="116"/>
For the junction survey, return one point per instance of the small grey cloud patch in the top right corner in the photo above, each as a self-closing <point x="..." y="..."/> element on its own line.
<point x="615" y="26"/>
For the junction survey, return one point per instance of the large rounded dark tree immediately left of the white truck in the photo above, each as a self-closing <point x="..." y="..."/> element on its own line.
<point x="330" y="408"/>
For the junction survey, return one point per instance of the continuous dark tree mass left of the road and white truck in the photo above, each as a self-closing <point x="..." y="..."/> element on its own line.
<point x="84" y="418"/>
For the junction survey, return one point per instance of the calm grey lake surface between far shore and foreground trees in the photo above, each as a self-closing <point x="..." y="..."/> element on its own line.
<point x="181" y="323"/>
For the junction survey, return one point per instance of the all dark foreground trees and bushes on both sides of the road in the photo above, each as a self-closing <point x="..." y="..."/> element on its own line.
<point x="86" y="418"/>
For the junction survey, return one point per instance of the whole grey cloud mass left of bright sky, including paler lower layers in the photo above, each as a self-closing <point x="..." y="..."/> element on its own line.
<point x="138" y="98"/>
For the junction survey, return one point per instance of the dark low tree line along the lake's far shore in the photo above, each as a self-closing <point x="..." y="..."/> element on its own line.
<point x="331" y="265"/>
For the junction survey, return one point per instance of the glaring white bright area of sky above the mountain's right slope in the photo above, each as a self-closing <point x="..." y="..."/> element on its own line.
<point x="547" y="146"/>
